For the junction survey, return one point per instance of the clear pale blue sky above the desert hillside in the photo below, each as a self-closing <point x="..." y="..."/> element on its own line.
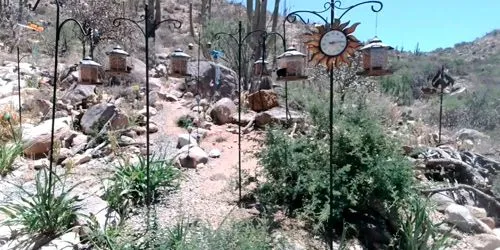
<point x="430" y="23"/>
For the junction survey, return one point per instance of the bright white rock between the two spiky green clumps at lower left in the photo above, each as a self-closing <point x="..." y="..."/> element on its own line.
<point x="104" y="215"/>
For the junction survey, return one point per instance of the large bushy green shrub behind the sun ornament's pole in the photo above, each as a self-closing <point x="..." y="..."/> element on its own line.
<point x="368" y="170"/>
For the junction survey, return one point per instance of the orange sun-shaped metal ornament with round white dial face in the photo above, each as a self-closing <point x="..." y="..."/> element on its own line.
<point x="332" y="47"/>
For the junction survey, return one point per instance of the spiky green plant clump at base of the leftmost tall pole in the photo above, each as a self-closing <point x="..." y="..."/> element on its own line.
<point x="45" y="212"/>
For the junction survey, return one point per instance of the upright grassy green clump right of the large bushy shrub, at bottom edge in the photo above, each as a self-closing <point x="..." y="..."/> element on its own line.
<point x="417" y="231"/>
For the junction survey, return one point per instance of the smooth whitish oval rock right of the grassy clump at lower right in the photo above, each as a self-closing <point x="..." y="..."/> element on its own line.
<point x="461" y="217"/>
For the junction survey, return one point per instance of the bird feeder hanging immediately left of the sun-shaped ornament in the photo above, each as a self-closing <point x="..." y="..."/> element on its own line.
<point x="291" y="65"/>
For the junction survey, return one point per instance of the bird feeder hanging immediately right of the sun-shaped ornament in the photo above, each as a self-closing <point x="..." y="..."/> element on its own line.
<point x="375" y="55"/>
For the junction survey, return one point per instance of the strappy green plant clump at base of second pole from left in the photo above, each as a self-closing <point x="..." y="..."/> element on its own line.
<point x="130" y="185"/>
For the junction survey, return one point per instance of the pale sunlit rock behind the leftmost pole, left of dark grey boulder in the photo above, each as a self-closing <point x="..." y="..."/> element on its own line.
<point x="36" y="140"/>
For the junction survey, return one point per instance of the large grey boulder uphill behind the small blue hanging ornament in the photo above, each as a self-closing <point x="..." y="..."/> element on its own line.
<point x="206" y="76"/>
